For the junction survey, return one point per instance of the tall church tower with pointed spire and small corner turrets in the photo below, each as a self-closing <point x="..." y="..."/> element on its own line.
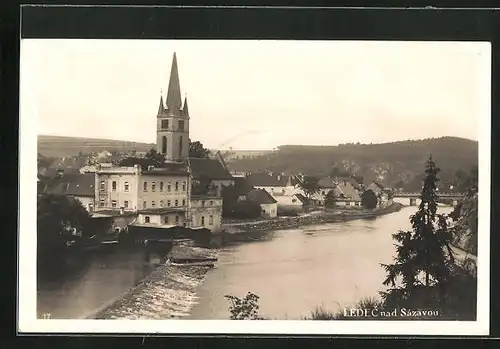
<point x="172" y="127"/>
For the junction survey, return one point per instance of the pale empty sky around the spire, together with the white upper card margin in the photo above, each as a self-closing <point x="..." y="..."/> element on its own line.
<point x="256" y="94"/>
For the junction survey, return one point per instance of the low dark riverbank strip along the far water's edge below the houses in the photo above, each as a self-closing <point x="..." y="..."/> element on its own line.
<point x="243" y="231"/>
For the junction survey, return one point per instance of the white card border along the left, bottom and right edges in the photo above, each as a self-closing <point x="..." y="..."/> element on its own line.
<point x="27" y="252"/>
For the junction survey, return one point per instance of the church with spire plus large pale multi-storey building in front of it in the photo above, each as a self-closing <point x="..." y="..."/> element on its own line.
<point x="169" y="195"/>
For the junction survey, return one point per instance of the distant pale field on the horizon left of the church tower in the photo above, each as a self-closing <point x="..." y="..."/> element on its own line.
<point x="57" y="146"/>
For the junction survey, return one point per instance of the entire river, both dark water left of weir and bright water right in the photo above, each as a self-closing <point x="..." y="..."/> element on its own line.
<point x="293" y="271"/>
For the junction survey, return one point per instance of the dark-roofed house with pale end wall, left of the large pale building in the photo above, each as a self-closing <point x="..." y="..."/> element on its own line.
<point x="75" y="185"/>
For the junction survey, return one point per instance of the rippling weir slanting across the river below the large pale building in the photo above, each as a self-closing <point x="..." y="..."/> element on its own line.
<point x="168" y="292"/>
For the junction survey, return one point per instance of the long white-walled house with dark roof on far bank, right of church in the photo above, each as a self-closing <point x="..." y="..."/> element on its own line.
<point x="274" y="184"/>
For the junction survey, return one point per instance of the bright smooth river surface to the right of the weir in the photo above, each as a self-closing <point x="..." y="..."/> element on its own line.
<point x="333" y="265"/>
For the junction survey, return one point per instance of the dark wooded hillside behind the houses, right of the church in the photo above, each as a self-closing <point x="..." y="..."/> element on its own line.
<point x="398" y="164"/>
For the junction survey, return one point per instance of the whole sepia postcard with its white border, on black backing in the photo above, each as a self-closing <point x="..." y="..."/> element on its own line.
<point x="205" y="181"/>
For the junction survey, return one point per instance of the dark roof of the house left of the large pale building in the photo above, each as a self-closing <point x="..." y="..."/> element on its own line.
<point x="71" y="184"/>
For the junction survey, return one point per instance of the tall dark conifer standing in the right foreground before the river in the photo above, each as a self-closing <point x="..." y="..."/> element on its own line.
<point x="423" y="254"/>
